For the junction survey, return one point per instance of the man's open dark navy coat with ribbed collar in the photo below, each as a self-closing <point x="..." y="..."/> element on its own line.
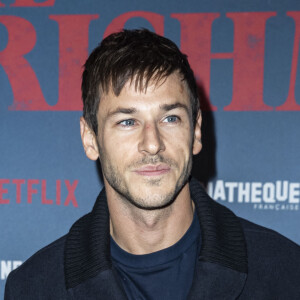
<point x="237" y="260"/>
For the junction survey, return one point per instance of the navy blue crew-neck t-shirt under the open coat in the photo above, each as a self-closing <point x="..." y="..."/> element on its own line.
<point x="166" y="274"/>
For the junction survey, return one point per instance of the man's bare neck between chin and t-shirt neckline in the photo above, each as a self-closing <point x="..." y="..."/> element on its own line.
<point x="140" y="231"/>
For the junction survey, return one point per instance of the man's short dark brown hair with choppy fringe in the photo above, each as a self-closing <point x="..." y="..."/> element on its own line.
<point x="136" y="55"/>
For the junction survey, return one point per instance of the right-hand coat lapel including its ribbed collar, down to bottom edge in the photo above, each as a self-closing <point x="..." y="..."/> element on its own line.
<point x="222" y="266"/>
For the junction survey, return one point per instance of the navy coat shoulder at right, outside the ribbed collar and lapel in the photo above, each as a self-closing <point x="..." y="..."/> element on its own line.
<point x="273" y="264"/>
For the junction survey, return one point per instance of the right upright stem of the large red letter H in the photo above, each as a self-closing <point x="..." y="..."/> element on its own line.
<point x="248" y="61"/>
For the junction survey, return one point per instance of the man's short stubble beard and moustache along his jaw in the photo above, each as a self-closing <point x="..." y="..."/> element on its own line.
<point x="150" y="202"/>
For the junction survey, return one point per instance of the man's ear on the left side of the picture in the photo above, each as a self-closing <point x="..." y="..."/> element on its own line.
<point x="89" y="141"/>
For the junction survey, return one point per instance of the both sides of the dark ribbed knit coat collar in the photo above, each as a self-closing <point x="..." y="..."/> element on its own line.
<point x="223" y="246"/>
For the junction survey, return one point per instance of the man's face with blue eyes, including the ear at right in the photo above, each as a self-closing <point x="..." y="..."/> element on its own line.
<point x="146" y="141"/>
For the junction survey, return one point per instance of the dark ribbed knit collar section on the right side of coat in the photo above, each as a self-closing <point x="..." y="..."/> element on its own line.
<point x="223" y="240"/>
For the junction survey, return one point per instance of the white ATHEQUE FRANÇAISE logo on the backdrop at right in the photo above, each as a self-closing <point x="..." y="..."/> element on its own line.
<point x="279" y="195"/>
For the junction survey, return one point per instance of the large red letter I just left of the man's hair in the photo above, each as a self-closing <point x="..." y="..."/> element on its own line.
<point x="73" y="51"/>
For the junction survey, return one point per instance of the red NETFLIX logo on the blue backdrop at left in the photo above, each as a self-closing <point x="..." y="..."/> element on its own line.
<point x="35" y="190"/>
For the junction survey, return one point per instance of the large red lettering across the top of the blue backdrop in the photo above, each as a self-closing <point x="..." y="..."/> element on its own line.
<point x="248" y="56"/>
